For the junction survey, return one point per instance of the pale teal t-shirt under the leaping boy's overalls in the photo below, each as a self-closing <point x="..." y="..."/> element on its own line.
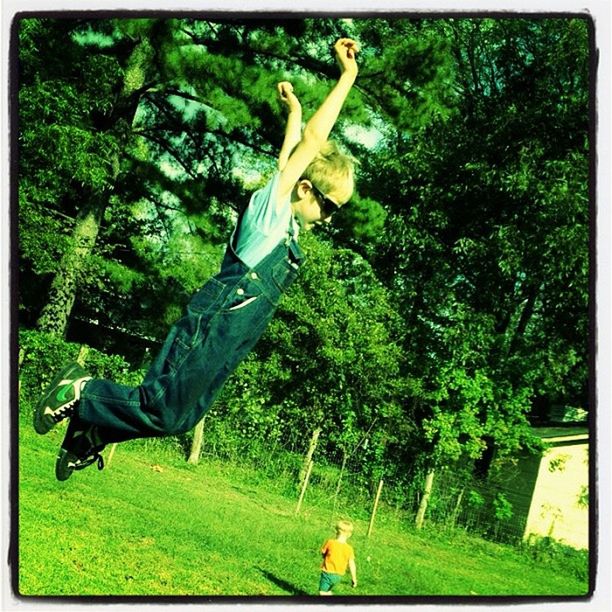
<point x="264" y="224"/>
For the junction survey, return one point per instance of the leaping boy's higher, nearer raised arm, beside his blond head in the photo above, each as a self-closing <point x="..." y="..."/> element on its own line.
<point x="321" y="123"/>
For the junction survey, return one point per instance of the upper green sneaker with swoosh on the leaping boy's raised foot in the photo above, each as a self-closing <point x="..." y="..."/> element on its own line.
<point x="60" y="398"/>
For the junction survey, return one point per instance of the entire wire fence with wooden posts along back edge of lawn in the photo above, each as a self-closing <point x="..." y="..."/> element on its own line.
<point x="339" y="484"/>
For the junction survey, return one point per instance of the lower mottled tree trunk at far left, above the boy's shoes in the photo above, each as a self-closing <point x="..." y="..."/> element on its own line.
<point x="54" y="316"/>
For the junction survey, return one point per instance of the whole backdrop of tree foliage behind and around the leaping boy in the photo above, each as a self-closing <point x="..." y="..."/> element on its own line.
<point x="451" y="297"/>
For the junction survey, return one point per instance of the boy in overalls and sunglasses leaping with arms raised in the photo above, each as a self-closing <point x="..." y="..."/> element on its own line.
<point x="225" y="318"/>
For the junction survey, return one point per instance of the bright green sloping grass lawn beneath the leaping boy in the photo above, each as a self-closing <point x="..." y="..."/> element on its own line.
<point x="150" y="524"/>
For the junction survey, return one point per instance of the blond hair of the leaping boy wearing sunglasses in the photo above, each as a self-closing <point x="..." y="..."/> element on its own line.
<point x="332" y="172"/>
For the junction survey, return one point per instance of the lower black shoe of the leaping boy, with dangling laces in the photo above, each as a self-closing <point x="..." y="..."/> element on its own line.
<point x="81" y="447"/>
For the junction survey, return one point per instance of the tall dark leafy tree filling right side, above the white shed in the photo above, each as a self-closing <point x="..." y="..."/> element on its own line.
<point x="487" y="224"/>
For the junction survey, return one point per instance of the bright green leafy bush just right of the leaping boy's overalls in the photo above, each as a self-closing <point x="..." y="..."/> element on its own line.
<point x="333" y="332"/>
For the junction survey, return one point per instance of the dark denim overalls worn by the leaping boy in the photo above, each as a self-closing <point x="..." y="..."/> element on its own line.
<point x="222" y="323"/>
